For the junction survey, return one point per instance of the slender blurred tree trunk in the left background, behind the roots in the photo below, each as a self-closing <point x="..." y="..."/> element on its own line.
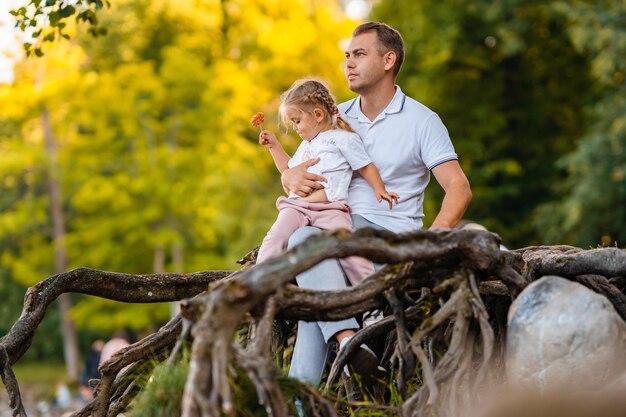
<point x="70" y="340"/>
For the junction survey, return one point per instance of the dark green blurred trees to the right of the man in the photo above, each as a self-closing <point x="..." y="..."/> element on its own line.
<point x="520" y="85"/>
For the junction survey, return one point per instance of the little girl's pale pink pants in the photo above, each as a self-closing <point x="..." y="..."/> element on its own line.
<point x="294" y="213"/>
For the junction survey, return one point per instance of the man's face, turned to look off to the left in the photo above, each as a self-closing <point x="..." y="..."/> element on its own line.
<point x="365" y="66"/>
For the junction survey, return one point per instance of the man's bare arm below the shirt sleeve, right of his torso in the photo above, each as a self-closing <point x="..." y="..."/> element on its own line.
<point x="458" y="194"/>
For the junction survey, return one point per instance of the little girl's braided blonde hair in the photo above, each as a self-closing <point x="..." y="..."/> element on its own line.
<point x="306" y="95"/>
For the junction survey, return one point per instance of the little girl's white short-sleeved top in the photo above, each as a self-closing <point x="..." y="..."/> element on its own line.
<point x="340" y="152"/>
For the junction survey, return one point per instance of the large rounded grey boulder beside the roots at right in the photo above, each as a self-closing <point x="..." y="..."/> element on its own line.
<point x="563" y="336"/>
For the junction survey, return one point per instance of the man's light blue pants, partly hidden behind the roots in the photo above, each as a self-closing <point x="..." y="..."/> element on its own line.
<point x="311" y="349"/>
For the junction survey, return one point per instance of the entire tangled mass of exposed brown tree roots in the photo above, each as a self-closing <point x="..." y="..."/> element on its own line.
<point x="448" y="348"/>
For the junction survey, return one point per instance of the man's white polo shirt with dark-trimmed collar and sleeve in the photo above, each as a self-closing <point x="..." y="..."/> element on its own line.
<point x="405" y="142"/>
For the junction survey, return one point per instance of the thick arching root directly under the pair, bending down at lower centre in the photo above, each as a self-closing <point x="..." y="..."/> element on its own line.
<point x="231" y="300"/>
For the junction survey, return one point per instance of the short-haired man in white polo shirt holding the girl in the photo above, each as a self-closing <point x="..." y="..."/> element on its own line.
<point x="406" y="141"/>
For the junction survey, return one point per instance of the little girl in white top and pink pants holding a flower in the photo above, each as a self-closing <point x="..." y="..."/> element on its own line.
<point x="312" y="111"/>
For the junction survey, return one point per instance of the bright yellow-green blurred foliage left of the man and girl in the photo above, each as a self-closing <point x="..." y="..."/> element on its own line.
<point x="159" y="167"/>
